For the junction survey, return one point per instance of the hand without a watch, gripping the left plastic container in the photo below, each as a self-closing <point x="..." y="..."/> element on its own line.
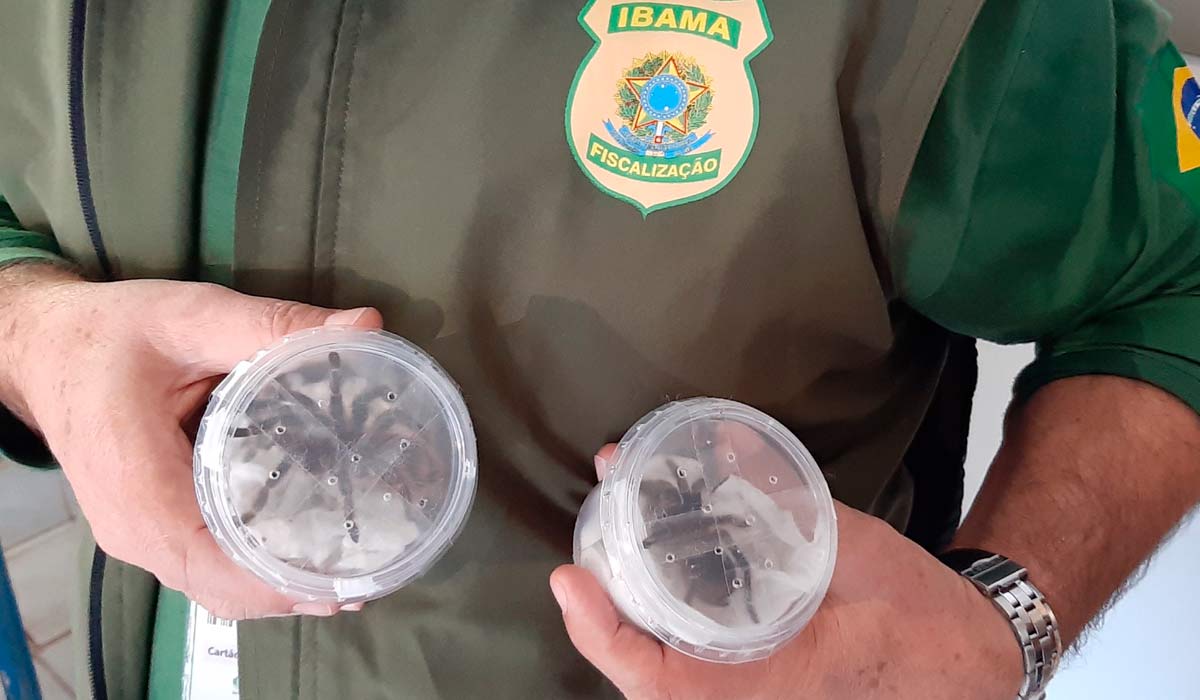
<point x="111" y="375"/>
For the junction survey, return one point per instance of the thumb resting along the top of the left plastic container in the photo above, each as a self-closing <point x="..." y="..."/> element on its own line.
<point x="225" y="328"/>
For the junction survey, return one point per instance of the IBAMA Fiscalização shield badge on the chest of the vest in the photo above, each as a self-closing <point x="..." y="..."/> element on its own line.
<point x="664" y="111"/>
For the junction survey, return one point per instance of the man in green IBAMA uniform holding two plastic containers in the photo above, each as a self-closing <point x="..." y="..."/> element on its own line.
<point x="794" y="205"/>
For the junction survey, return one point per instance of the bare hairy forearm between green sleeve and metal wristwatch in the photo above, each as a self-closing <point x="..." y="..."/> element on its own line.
<point x="1093" y="475"/>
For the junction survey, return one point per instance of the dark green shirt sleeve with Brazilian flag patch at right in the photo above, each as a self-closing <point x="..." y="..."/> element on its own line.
<point x="1057" y="198"/>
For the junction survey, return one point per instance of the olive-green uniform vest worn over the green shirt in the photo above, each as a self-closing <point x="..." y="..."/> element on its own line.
<point x="413" y="157"/>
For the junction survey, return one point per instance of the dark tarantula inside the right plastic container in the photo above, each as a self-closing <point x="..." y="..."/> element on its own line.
<point x="707" y="570"/>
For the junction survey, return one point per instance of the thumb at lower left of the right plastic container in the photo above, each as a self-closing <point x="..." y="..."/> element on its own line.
<point x="619" y="650"/>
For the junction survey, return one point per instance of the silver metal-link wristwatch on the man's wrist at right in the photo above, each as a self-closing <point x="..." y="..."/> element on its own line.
<point x="1007" y="585"/>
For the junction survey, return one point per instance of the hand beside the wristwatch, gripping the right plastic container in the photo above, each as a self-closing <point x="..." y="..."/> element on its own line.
<point x="896" y="624"/>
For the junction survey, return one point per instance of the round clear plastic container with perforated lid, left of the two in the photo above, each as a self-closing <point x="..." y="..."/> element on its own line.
<point x="338" y="465"/>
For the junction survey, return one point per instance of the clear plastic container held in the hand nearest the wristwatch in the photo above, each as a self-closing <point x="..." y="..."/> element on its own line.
<point x="715" y="530"/>
